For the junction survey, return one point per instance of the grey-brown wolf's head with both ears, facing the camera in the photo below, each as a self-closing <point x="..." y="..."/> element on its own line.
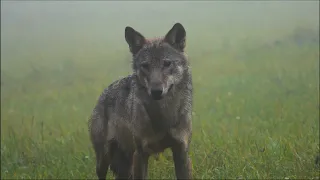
<point x="158" y="63"/>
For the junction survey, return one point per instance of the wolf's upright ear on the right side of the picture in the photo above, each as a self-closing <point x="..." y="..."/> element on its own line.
<point x="176" y="37"/>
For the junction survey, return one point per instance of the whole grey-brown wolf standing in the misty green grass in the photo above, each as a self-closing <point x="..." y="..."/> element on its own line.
<point x="147" y="111"/>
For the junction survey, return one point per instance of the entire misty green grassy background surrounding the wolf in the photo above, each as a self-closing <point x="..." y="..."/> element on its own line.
<point x="255" y="69"/>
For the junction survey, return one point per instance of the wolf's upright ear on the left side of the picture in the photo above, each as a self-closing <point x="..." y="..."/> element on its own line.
<point x="134" y="39"/>
